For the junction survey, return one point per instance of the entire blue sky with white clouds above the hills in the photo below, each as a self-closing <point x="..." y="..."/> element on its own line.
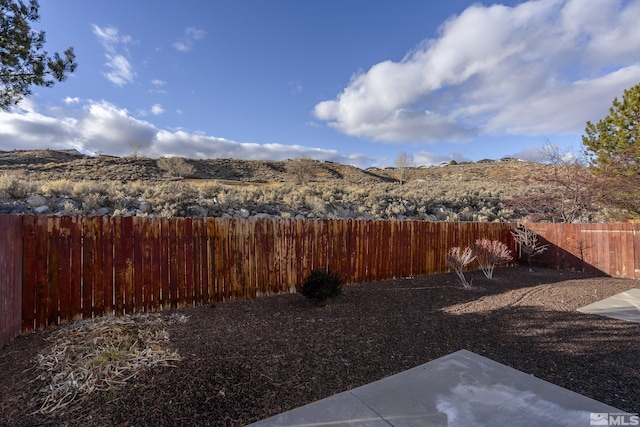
<point x="353" y="81"/>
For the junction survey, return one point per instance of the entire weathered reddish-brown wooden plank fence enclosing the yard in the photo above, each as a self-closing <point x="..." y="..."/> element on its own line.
<point x="59" y="268"/>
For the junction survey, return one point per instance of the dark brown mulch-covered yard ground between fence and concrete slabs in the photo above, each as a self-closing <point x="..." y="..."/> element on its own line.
<point x="243" y="361"/>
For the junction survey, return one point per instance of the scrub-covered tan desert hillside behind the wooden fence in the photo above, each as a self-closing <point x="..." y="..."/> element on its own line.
<point x="69" y="183"/>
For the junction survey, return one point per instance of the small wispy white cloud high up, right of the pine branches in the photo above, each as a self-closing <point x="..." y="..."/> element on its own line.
<point x="120" y="71"/>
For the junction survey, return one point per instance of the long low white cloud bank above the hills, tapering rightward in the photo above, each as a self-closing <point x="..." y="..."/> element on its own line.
<point x="101" y="126"/>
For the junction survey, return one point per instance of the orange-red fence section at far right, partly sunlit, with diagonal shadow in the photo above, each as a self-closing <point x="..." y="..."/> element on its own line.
<point x="610" y="248"/>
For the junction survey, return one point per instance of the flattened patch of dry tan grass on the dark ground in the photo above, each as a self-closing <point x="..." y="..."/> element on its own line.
<point x="99" y="355"/>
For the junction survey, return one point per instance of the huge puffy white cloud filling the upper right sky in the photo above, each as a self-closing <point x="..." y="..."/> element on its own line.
<point x="543" y="66"/>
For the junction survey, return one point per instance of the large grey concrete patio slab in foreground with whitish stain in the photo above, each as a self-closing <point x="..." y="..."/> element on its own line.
<point x="460" y="389"/>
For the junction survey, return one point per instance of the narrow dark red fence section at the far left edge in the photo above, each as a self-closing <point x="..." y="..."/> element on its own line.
<point x="10" y="277"/>
